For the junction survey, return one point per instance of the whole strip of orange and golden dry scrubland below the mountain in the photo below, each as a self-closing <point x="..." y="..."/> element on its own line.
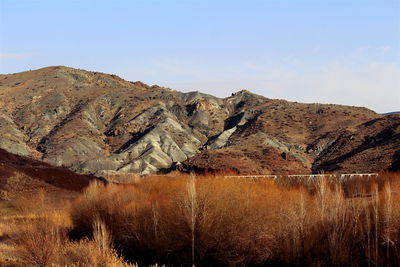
<point x="210" y="221"/>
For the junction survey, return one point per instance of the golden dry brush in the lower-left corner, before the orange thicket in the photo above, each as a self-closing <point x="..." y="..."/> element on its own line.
<point x="42" y="241"/>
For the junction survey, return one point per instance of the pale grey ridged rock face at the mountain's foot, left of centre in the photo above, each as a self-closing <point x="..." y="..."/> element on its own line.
<point x="157" y="147"/>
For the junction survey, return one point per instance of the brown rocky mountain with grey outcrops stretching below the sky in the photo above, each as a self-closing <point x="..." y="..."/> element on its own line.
<point x="98" y="123"/>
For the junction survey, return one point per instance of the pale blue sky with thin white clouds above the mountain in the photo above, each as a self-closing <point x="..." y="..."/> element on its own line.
<point x="326" y="51"/>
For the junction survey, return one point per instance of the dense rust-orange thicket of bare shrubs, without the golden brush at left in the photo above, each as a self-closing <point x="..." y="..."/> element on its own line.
<point x="240" y="222"/>
